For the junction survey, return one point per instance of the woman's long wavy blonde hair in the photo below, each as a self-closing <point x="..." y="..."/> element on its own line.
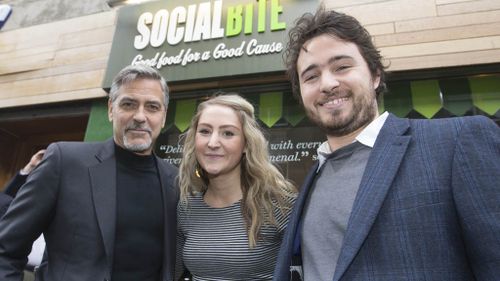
<point x="264" y="187"/>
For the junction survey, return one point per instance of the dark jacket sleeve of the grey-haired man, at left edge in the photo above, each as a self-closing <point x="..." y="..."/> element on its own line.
<point x="29" y="214"/>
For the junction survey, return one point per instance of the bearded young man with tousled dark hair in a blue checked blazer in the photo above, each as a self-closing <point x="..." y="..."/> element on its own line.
<point x="390" y="198"/>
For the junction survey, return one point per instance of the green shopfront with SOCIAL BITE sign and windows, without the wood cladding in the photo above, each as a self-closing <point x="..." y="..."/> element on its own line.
<point x="215" y="43"/>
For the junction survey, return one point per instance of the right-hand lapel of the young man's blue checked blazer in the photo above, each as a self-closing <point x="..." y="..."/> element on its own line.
<point x="380" y="171"/>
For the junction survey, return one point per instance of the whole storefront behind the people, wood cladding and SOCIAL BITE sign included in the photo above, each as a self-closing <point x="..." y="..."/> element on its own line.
<point x="442" y="57"/>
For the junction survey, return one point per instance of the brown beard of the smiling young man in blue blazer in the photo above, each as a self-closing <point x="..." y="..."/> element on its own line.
<point x="339" y="123"/>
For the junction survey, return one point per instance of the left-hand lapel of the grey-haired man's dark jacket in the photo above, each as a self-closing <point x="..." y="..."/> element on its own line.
<point x="103" y="185"/>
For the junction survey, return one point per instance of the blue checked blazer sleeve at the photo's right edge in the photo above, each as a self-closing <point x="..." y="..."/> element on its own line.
<point x="476" y="191"/>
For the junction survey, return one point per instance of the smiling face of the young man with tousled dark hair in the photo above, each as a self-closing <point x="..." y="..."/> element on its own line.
<point x="337" y="88"/>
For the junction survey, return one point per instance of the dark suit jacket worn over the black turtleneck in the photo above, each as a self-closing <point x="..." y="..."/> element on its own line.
<point x="71" y="198"/>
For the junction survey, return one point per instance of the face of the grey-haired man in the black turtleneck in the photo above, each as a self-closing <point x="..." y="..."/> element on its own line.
<point x="138" y="114"/>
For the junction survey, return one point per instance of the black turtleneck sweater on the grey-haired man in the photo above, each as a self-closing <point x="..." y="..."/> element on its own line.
<point x="138" y="249"/>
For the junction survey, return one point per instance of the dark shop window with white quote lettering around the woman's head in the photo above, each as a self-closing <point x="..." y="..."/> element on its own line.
<point x="292" y="138"/>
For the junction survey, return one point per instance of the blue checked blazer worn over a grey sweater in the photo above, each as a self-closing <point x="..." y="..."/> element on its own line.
<point x="428" y="206"/>
